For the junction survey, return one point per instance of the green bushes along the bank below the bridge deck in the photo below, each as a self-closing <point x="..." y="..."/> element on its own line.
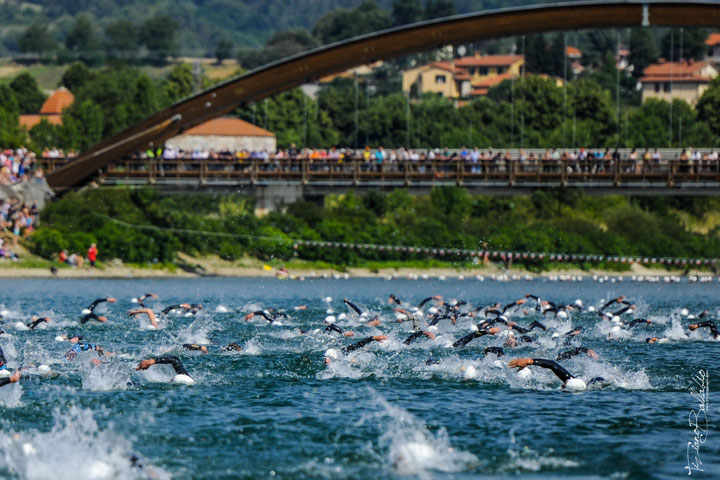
<point x="549" y="220"/>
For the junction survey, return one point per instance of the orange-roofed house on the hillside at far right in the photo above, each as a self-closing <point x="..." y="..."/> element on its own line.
<point x="686" y="80"/>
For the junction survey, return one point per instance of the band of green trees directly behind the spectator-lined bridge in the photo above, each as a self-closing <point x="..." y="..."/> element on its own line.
<point x="528" y="112"/>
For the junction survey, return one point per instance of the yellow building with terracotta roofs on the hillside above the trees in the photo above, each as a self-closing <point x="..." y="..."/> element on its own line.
<point x="463" y="77"/>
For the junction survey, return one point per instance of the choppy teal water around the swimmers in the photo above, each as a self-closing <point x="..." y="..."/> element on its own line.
<point x="276" y="410"/>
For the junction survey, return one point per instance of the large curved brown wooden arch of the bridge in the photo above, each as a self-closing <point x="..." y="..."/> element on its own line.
<point x="312" y="65"/>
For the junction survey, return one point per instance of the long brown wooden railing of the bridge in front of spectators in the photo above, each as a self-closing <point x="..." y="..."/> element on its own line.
<point x="510" y="171"/>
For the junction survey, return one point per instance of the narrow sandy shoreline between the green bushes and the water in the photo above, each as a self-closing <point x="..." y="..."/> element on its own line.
<point x="210" y="268"/>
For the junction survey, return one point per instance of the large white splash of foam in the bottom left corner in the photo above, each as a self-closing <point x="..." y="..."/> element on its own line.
<point x="74" y="449"/>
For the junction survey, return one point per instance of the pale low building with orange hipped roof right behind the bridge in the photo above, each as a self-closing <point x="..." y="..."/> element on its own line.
<point x="225" y="134"/>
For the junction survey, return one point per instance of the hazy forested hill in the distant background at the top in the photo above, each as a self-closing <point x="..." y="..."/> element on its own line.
<point x="203" y="23"/>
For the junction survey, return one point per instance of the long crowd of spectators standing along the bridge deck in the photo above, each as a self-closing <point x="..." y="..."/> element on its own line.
<point x="474" y="160"/>
